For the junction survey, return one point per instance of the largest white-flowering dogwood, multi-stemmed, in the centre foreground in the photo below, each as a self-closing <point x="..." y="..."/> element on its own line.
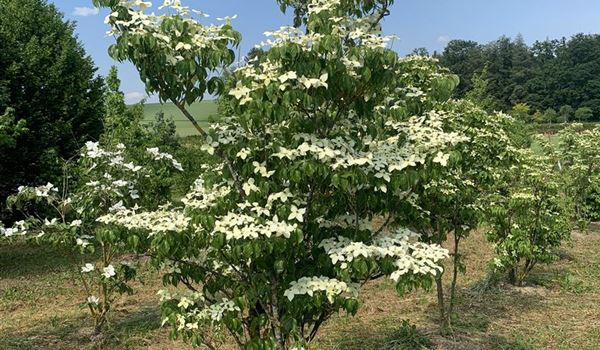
<point x="309" y="177"/>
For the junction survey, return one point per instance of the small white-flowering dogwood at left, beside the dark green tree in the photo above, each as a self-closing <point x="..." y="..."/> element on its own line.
<point x="103" y="181"/>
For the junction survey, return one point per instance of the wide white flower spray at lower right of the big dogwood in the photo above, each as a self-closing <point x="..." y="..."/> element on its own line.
<point x="411" y="257"/>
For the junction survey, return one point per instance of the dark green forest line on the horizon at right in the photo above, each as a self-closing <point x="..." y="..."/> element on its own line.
<point x="549" y="81"/>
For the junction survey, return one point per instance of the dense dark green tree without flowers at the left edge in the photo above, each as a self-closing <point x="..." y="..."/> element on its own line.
<point x="49" y="83"/>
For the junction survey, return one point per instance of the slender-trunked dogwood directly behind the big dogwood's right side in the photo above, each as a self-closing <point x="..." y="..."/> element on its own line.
<point x="454" y="199"/>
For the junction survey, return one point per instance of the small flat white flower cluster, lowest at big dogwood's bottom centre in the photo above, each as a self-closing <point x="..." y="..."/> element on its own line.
<point x="311" y="285"/>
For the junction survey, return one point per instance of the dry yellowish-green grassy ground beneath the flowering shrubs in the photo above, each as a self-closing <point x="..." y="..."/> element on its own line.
<point x="559" y="309"/>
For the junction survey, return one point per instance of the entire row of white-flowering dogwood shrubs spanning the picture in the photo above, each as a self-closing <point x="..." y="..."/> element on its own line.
<point x="338" y="163"/>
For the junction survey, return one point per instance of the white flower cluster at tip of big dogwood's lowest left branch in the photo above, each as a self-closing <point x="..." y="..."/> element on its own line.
<point x="155" y="222"/>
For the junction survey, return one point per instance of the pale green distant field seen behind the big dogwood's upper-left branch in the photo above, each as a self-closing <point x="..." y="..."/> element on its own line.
<point x="202" y="111"/>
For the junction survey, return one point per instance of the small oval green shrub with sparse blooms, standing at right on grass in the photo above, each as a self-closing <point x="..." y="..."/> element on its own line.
<point x="529" y="217"/>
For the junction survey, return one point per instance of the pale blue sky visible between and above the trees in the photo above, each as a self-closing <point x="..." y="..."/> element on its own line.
<point x="418" y="23"/>
